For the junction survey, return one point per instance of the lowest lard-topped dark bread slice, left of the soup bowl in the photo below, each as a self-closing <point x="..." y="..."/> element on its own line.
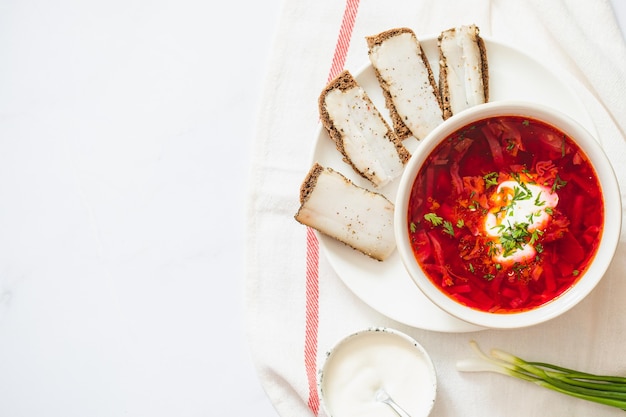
<point x="333" y="205"/>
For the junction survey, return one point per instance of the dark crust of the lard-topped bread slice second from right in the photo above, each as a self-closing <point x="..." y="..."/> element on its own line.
<point x="373" y="41"/>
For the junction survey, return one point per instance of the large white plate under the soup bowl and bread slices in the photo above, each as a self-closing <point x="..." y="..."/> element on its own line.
<point x="386" y="286"/>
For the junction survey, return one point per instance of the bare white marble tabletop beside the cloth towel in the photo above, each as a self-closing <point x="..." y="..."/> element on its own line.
<point x="125" y="129"/>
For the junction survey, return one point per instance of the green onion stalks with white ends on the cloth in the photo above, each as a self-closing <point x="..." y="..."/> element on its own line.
<point x="607" y="390"/>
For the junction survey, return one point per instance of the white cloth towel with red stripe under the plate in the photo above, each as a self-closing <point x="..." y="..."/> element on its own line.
<point x="298" y="307"/>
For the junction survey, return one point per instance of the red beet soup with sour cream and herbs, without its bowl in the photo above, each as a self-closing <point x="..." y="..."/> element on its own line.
<point x="505" y="214"/>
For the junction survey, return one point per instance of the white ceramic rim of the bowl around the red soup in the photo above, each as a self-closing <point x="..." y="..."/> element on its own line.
<point x="609" y="237"/>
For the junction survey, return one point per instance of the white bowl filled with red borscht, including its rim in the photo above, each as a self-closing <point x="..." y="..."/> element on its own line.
<point x="508" y="214"/>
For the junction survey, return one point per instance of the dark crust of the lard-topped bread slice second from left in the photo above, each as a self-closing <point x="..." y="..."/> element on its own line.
<point x="343" y="82"/>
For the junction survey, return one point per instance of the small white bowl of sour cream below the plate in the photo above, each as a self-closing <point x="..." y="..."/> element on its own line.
<point x="368" y="360"/>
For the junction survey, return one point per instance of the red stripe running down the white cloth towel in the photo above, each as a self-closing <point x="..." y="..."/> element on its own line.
<point x="312" y="244"/>
